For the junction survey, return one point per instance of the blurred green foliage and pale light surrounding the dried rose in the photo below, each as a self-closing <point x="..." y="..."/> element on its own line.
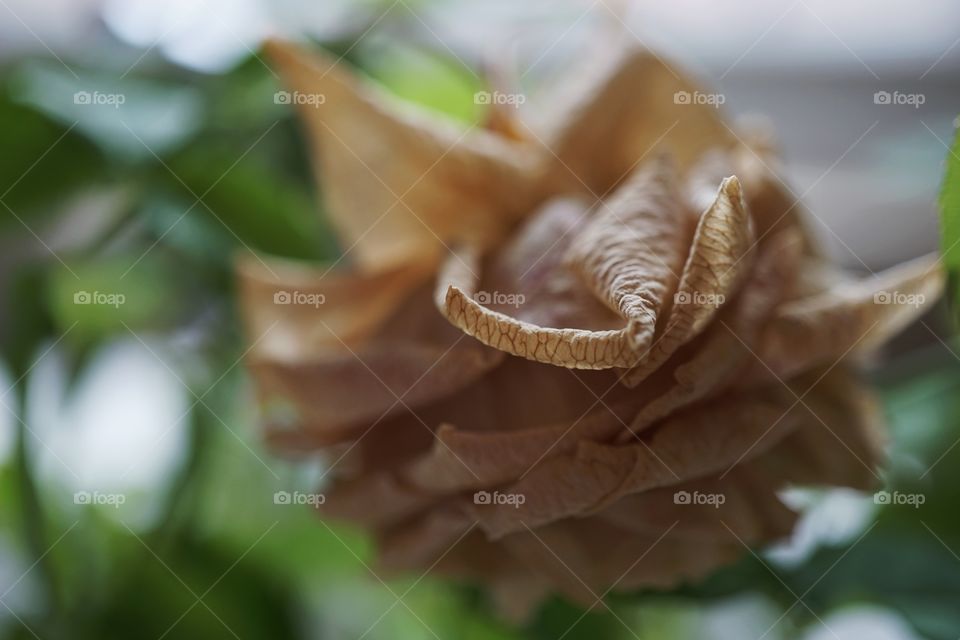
<point x="141" y="147"/>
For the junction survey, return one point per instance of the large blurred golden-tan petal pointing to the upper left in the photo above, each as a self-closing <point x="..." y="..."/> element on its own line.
<point x="394" y="176"/>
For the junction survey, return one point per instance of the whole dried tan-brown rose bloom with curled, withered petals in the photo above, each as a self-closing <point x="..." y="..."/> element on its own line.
<point x="578" y="358"/>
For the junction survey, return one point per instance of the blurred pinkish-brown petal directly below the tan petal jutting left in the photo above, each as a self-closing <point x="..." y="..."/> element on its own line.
<point x="415" y="358"/>
